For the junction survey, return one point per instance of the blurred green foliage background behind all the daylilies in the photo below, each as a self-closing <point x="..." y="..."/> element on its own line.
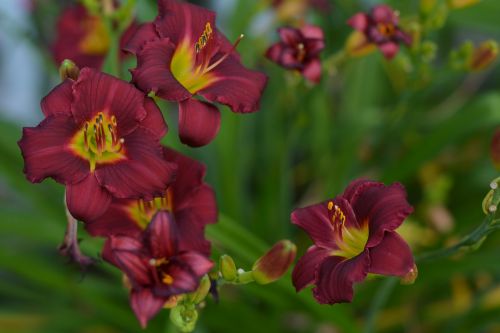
<point x="413" y="121"/>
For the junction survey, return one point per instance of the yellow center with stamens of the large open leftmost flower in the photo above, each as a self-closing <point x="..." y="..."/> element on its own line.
<point x="98" y="141"/>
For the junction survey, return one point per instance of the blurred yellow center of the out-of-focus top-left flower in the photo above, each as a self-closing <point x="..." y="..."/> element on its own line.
<point x="96" y="40"/>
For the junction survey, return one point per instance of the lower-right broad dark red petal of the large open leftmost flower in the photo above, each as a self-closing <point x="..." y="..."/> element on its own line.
<point x="145" y="174"/>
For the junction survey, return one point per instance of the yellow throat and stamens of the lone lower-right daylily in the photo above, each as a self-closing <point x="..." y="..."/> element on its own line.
<point x="351" y="241"/>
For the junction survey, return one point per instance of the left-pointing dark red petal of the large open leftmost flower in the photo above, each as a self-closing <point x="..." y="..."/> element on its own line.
<point x="46" y="153"/>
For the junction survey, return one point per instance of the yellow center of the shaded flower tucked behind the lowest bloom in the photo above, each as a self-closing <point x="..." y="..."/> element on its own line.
<point x="142" y="211"/>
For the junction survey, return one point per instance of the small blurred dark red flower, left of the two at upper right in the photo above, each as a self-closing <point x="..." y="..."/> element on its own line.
<point x="299" y="49"/>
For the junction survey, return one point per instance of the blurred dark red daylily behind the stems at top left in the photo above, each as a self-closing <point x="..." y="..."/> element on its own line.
<point x="83" y="38"/>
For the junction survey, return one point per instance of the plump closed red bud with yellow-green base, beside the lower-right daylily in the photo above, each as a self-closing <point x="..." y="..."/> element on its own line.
<point x="274" y="264"/>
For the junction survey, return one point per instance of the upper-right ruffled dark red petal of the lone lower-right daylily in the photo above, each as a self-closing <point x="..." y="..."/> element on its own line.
<point x="384" y="207"/>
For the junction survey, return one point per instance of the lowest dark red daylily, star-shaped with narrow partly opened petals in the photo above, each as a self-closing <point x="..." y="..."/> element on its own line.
<point x="155" y="266"/>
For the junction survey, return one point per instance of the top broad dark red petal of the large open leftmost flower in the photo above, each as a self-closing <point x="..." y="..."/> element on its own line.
<point x="96" y="92"/>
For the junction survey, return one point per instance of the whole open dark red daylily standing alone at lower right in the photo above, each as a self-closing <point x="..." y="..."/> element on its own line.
<point x="353" y="235"/>
